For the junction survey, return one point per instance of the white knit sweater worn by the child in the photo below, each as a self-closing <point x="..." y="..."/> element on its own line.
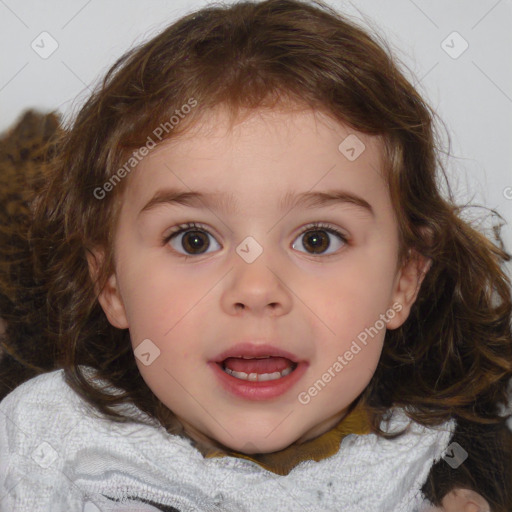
<point x="56" y="455"/>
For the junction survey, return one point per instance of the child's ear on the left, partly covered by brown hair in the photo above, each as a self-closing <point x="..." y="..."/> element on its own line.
<point x="109" y="296"/>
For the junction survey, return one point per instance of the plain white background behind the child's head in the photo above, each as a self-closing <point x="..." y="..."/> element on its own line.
<point x="471" y="93"/>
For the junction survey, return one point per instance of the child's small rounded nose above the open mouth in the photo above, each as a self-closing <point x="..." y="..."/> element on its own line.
<point x="257" y="288"/>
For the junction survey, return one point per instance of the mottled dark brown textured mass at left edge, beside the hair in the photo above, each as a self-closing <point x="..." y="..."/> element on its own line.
<point x="25" y="348"/>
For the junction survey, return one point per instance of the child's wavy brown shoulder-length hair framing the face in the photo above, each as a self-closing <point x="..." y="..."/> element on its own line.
<point x="452" y="358"/>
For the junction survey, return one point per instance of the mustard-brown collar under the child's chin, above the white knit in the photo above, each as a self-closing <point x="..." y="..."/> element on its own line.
<point x="321" y="447"/>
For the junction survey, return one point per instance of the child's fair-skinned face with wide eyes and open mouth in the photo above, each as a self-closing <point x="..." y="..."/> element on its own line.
<point x="314" y="305"/>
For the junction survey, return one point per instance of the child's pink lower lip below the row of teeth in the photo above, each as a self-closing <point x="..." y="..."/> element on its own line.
<point x="258" y="390"/>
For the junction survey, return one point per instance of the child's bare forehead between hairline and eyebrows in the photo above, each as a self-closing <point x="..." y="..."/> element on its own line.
<point x="262" y="152"/>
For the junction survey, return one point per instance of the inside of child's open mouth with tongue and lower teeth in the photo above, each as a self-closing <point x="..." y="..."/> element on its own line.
<point x="258" y="369"/>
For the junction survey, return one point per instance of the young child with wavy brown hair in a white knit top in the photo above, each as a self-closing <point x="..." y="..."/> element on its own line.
<point x="256" y="297"/>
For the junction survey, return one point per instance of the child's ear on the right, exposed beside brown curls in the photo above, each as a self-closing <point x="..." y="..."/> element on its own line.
<point x="407" y="286"/>
